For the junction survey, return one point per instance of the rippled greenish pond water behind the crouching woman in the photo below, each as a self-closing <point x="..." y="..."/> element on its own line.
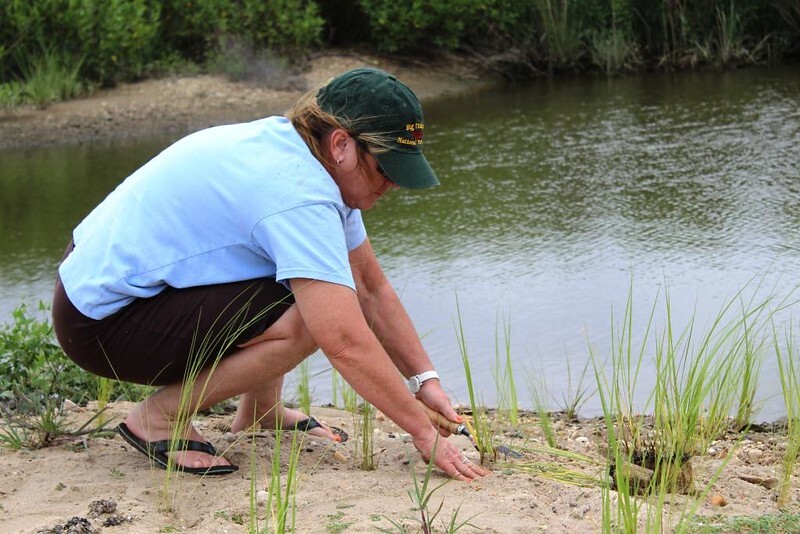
<point x="556" y="199"/>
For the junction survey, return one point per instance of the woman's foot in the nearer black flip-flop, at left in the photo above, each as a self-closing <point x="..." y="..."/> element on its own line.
<point x="153" y="427"/>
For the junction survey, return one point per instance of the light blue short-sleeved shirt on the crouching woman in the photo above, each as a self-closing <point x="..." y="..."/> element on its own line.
<point x="226" y="204"/>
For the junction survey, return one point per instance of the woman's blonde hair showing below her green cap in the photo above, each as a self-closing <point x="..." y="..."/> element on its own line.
<point x="312" y="123"/>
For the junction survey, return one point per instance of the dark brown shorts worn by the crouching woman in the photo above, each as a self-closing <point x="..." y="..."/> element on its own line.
<point x="155" y="340"/>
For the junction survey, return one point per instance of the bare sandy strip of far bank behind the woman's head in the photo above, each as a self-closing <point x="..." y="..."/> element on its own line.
<point x="179" y="105"/>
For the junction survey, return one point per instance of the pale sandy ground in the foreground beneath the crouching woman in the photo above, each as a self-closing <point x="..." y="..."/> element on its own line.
<point x="47" y="488"/>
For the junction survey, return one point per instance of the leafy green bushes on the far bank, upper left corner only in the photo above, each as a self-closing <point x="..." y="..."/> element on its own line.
<point x="123" y="40"/>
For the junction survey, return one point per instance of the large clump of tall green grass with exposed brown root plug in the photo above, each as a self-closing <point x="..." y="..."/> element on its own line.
<point x="697" y="382"/>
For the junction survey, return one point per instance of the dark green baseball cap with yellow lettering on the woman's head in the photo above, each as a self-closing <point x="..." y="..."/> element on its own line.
<point x="373" y="101"/>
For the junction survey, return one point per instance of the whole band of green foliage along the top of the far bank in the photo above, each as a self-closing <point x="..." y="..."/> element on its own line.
<point x="120" y="40"/>
